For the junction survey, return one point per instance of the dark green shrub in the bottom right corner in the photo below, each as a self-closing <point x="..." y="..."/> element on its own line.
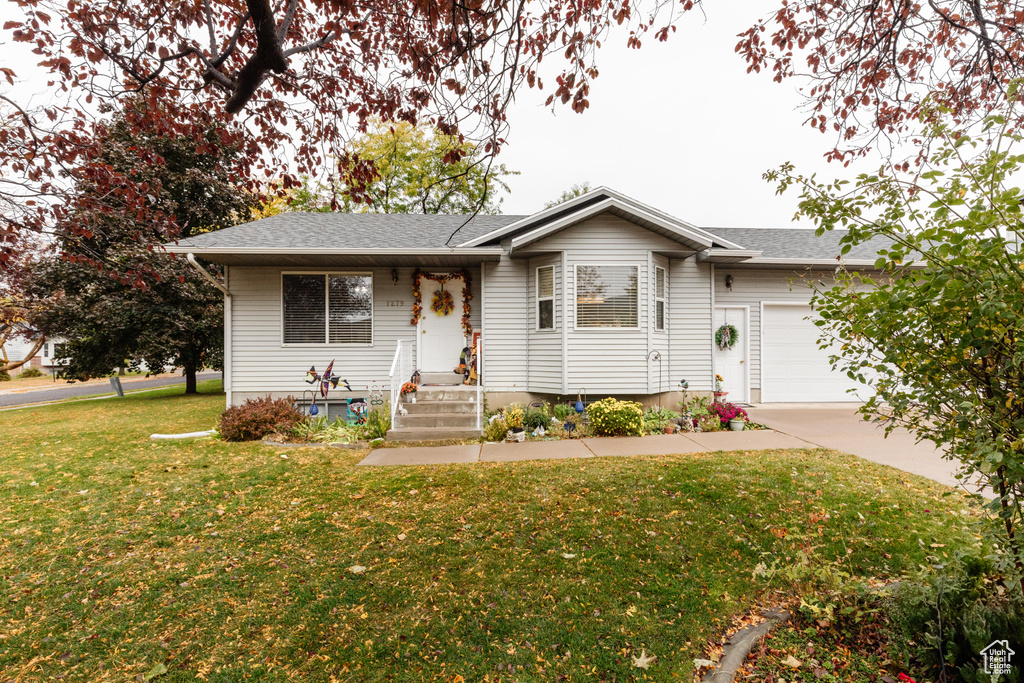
<point x="976" y="610"/>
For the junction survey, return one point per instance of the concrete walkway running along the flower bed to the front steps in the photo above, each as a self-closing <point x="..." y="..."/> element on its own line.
<point x="659" y="445"/>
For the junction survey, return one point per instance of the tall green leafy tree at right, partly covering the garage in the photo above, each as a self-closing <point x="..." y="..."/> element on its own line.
<point x="938" y="330"/>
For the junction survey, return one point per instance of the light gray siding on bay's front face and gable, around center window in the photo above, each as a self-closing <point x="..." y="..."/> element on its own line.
<point x="610" y="361"/>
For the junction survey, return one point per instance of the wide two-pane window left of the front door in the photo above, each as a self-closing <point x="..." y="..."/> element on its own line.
<point x="328" y="309"/>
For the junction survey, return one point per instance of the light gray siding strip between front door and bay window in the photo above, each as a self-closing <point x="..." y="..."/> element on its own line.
<point x="505" y="348"/>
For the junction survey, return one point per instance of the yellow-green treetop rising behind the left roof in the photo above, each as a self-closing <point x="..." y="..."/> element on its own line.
<point x="416" y="169"/>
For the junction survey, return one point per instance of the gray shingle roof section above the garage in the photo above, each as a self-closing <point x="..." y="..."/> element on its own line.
<point x="797" y="243"/>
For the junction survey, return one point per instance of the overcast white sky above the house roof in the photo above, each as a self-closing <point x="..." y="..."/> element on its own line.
<point x="679" y="125"/>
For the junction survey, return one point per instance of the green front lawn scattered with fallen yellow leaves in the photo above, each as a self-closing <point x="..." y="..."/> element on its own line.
<point x="122" y="558"/>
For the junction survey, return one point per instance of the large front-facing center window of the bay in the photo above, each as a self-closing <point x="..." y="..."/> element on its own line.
<point x="607" y="296"/>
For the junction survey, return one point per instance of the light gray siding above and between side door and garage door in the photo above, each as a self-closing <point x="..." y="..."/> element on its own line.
<point x="750" y="288"/>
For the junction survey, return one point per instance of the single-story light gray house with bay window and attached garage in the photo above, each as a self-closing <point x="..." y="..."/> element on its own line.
<point x="576" y="297"/>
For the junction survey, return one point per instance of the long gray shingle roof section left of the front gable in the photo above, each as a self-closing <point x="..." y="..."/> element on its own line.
<point x="351" y="231"/>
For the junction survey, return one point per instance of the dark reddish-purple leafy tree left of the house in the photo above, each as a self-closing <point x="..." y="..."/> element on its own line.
<point x="112" y="293"/>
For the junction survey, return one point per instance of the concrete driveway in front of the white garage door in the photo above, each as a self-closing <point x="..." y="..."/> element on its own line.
<point x="839" y="426"/>
